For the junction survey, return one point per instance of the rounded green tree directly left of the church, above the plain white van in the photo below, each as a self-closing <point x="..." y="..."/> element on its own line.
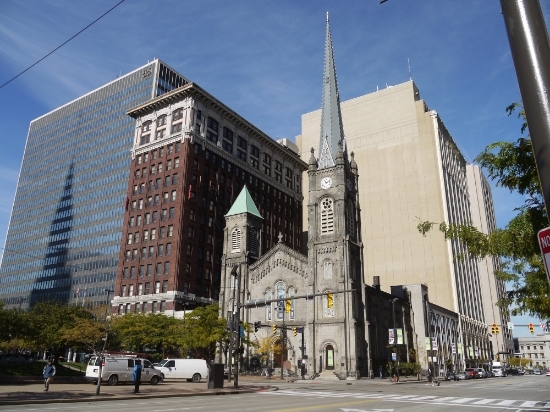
<point x="203" y="328"/>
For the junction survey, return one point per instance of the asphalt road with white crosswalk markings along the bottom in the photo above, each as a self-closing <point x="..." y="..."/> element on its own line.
<point x="522" y="393"/>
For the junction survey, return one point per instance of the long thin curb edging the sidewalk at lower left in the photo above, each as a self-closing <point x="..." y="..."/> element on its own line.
<point x="129" y="397"/>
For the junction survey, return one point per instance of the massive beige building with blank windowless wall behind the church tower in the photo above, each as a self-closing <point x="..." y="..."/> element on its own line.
<point x="411" y="170"/>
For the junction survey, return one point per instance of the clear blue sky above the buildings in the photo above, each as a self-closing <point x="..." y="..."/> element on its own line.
<point x="264" y="59"/>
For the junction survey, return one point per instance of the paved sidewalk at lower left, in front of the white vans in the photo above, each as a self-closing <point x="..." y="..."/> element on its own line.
<point x="23" y="392"/>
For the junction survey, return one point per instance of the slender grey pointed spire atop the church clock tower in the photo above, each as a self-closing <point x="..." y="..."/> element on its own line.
<point x="332" y="131"/>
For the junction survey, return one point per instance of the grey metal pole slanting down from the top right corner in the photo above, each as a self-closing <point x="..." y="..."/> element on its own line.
<point x="530" y="49"/>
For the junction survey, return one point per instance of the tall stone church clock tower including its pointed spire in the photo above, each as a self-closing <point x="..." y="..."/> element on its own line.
<point x="337" y="332"/>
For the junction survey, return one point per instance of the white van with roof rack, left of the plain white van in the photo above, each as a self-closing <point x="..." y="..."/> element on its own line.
<point x="120" y="369"/>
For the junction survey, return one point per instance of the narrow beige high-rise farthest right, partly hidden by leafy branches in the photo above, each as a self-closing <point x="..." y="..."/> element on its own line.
<point x="493" y="289"/>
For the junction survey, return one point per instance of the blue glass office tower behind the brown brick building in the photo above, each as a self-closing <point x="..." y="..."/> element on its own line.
<point x="64" y="234"/>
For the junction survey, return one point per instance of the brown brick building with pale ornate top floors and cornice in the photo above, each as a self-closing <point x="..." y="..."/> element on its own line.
<point x="191" y="157"/>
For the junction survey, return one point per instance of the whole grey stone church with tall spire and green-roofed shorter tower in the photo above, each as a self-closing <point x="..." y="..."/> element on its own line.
<point x="333" y="318"/>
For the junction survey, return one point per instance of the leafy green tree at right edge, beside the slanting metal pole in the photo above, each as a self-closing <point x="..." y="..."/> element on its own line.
<point x="511" y="165"/>
